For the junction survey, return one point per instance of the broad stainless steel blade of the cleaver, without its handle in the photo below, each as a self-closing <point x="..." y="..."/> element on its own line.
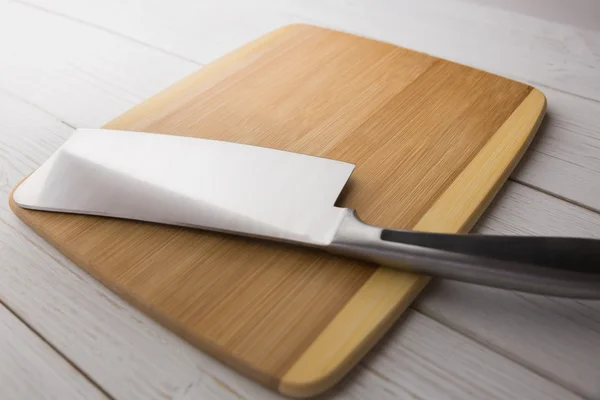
<point x="191" y="182"/>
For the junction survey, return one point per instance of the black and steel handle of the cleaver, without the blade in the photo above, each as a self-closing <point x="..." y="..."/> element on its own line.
<point x="558" y="266"/>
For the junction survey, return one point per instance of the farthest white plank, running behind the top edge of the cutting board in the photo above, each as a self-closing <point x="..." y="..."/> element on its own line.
<point x="559" y="56"/>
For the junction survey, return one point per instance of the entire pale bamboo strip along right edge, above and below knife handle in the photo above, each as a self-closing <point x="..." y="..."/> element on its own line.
<point x="379" y="298"/>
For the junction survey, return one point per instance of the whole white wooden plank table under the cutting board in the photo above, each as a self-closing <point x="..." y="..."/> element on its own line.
<point x="73" y="63"/>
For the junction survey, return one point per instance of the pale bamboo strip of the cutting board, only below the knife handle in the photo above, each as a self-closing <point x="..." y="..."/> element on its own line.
<point x="352" y="333"/>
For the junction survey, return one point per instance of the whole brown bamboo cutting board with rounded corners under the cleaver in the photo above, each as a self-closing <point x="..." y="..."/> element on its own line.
<point x="433" y="142"/>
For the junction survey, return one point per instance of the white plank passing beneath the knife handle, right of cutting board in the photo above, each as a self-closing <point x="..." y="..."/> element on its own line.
<point x="558" y="337"/>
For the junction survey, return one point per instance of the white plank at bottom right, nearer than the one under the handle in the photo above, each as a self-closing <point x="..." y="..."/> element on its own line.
<point x="415" y="364"/>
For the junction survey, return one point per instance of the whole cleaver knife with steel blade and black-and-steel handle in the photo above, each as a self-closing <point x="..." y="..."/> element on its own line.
<point x="278" y="195"/>
